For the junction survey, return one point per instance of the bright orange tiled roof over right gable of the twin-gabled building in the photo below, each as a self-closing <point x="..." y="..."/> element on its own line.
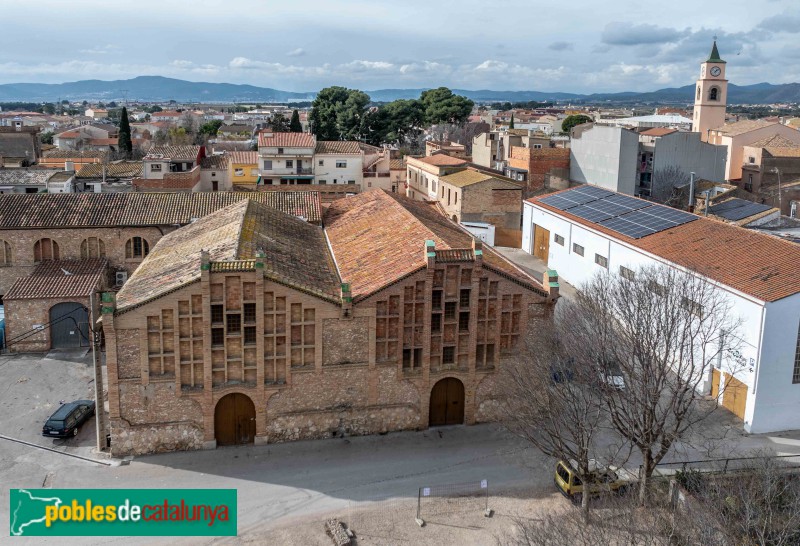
<point x="378" y="238"/>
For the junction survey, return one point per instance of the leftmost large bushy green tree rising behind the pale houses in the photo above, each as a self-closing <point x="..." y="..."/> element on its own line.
<point x="338" y="113"/>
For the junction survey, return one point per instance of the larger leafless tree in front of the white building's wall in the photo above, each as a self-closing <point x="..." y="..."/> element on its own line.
<point x="661" y="330"/>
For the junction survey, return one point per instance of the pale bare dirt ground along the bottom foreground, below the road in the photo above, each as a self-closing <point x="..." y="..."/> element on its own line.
<point x="459" y="521"/>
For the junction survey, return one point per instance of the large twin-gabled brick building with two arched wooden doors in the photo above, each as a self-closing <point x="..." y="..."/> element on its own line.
<point x="251" y="325"/>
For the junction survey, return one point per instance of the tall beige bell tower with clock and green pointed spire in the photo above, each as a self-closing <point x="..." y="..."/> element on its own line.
<point x="711" y="95"/>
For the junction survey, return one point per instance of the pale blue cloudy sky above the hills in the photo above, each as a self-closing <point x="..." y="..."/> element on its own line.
<point x="303" y="45"/>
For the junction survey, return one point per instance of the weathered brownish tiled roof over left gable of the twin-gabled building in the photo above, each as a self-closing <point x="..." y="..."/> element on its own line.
<point x="296" y="253"/>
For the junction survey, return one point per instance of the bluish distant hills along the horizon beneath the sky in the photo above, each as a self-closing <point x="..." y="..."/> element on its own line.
<point x="158" y="88"/>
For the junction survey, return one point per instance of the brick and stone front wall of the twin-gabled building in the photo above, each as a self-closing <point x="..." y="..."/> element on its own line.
<point x="349" y="387"/>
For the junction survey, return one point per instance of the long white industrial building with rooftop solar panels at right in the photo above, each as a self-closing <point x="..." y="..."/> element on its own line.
<point x="759" y="274"/>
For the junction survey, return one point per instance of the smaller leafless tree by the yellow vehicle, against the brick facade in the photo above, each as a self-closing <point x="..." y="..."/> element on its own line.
<point x="548" y="399"/>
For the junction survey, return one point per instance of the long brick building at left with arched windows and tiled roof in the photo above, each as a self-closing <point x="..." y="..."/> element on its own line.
<point x="119" y="229"/>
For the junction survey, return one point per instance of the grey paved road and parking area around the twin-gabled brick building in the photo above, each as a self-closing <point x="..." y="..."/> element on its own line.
<point x="280" y="483"/>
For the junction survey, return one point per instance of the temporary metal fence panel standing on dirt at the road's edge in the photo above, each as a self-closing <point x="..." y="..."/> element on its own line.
<point x="440" y="502"/>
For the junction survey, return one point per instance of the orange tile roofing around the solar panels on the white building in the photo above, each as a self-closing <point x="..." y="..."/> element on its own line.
<point x="756" y="264"/>
